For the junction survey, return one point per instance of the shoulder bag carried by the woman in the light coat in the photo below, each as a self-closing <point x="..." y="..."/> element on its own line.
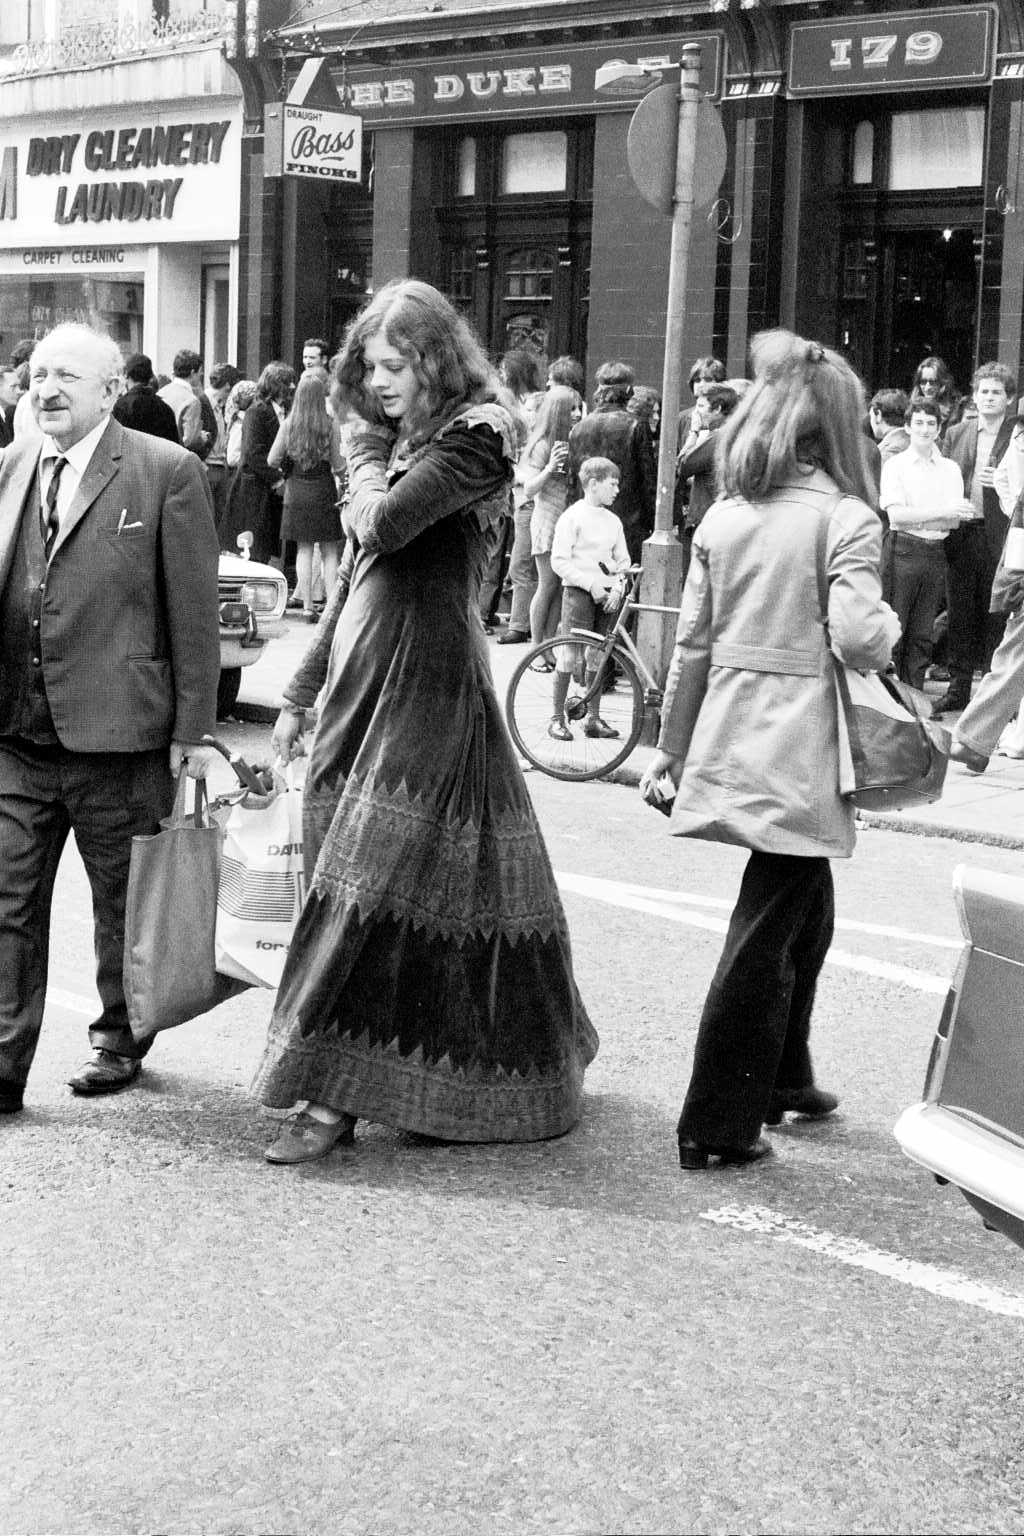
<point x="891" y="758"/>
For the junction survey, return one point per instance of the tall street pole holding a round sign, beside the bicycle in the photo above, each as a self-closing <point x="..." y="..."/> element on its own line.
<point x="662" y="560"/>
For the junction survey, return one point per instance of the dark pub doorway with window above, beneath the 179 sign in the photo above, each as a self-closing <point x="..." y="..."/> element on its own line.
<point x="891" y="234"/>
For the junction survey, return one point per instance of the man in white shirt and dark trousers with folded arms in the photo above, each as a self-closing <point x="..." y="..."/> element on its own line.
<point x="923" y="497"/>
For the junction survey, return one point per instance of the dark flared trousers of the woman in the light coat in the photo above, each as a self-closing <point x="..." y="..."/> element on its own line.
<point x="756" y="1024"/>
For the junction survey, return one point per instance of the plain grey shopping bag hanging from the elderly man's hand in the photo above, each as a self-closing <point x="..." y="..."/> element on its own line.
<point x="170" y="919"/>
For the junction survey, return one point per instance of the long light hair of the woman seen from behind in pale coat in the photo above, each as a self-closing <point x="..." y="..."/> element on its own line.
<point x="802" y="412"/>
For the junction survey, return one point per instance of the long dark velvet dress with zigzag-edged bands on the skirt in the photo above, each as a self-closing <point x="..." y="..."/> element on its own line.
<point x="429" y="984"/>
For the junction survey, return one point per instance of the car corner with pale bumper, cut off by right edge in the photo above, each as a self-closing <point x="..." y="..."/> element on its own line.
<point x="969" y="1128"/>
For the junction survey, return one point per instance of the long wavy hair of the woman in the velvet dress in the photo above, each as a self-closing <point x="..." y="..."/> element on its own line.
<point x="441" y="348"/>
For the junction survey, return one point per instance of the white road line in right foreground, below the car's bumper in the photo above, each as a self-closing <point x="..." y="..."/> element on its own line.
<point x="860" y="1256"/>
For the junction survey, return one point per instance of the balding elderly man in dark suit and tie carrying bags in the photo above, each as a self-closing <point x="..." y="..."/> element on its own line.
<point x="108" y="678"/>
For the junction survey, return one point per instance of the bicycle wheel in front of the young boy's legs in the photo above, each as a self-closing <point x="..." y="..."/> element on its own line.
<point x="529" y="710"/>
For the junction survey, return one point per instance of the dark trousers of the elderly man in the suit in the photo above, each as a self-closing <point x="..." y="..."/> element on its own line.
<point x="105" y="799"/>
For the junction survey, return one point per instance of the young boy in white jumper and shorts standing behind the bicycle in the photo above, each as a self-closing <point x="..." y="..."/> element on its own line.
<point x="589" y="554"/>
